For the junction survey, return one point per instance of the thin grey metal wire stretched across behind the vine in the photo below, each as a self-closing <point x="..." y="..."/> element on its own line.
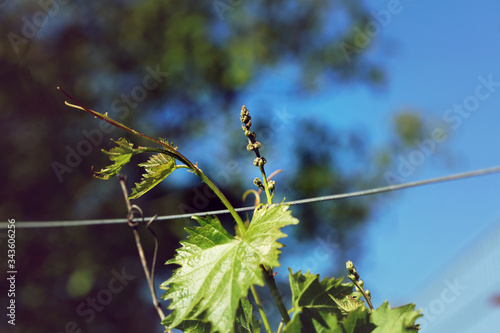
<point x="48" y="224"/>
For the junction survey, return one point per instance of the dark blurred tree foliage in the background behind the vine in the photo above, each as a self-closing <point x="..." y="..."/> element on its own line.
<point x="114" y="56"/>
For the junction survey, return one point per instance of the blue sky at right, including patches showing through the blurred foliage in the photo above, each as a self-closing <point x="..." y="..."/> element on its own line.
<point x="435" y="55"/>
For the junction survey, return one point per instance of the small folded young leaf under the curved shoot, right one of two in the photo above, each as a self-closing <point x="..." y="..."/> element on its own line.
<point x="158" y="167"/>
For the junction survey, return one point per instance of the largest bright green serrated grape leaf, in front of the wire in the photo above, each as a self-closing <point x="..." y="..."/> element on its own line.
<point x="217" y="269"/>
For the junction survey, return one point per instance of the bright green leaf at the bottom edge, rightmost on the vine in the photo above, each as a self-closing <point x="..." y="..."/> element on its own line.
<point x="397" y="320"/>
